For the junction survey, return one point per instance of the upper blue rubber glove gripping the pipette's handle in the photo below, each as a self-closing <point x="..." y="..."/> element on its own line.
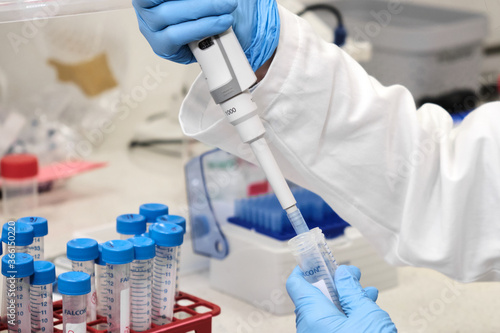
<point x="169" y="25"/>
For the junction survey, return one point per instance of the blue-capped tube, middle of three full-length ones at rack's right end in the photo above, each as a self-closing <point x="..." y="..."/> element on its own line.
<point x="141" y="279"/>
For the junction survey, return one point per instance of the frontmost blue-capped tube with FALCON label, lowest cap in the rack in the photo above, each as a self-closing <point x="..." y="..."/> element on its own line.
<point x="74" y="286"/>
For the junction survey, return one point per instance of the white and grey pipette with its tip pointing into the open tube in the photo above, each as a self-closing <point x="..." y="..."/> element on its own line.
<point x="229" y="77"/>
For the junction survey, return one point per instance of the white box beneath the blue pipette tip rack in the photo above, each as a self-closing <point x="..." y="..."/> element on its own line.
<point x="257" y="267"/>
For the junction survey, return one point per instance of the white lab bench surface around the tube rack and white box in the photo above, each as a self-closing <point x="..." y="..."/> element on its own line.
<point x="424" y="300"/>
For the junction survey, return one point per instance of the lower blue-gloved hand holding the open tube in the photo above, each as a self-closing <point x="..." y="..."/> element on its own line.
<point x="316" y="313"/>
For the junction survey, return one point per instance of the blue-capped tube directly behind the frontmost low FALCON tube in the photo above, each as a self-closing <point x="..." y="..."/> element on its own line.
<point x="82" y="252"/>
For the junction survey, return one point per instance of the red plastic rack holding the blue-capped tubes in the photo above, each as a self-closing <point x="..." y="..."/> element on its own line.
<point x="192" y="314"/>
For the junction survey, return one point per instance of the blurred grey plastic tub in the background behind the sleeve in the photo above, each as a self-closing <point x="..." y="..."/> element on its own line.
<point x="430" y="50"/>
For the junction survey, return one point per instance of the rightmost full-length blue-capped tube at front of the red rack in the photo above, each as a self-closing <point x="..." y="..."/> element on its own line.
<point x="168" y="237"/>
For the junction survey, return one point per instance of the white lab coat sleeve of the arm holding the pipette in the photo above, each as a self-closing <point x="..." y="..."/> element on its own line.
<point x="422" y="192"/>
